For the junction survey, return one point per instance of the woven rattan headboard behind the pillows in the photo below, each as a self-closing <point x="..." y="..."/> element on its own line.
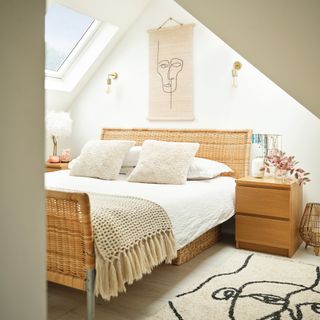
<point x="231" y="147"/>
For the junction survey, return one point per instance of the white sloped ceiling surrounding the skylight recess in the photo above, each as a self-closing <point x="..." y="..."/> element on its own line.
<point x="121" y="13"/>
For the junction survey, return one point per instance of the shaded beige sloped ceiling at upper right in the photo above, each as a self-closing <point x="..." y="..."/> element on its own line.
<point x="280" y="38"/>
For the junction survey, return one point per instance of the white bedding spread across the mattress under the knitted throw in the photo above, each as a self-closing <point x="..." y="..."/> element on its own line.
<point x="193" y="208"/>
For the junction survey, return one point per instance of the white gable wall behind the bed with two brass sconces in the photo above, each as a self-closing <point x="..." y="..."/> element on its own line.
<point x="257" y="103"/>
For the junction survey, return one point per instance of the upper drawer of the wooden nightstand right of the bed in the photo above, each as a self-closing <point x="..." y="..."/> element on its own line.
<point x="263" y="201"/>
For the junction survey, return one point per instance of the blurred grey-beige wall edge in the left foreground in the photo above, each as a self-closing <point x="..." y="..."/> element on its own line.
<point x="22" y="226"/>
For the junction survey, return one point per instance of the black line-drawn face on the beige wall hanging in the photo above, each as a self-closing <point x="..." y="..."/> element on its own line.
<point x="168" y="69"/>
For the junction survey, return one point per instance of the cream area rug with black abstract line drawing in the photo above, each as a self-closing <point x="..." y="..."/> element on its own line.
<point x="248" y="287"/>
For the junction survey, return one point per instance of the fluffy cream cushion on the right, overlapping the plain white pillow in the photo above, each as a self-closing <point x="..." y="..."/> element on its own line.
<point x="164" y="162"/>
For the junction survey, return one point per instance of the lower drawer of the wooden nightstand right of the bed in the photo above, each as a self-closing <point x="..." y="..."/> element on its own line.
<point x="263" y="231"/>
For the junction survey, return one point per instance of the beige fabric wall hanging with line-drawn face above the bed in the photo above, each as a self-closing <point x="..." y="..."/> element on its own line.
<point x="170" y="72"/>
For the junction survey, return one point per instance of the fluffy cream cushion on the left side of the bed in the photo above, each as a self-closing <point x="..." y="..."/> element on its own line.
<point x="101" y="159"/>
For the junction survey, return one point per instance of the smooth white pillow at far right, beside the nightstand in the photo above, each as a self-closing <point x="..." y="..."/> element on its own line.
<point x="206" y="169"/>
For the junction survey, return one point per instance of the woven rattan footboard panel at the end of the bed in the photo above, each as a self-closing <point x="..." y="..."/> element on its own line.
<point x="70" y="249"/>
